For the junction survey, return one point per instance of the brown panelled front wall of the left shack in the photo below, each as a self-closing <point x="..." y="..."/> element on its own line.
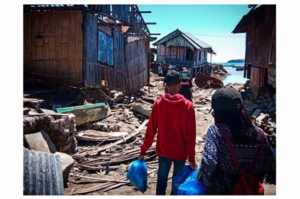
<point x="53" y="44"/>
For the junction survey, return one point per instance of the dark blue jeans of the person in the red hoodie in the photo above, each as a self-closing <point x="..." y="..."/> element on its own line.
<point x="164" y="165"/>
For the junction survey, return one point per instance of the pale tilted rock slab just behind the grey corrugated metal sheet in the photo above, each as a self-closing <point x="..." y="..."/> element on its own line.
<point x="40" y="141"/>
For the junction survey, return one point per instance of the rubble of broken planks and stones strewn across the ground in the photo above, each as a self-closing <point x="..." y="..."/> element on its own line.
<point x="102" y="149"/>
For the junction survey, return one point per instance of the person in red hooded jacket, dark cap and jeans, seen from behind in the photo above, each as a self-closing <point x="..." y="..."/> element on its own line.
<point x="173" y="119"/>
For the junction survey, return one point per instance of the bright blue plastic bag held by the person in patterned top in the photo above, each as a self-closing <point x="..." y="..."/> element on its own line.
<point x="192" y="186"/>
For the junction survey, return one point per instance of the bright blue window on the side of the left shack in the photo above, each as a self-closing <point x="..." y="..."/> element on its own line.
<point x="105" y="48"/>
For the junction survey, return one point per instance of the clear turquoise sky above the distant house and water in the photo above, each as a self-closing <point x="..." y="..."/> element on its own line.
<point x="212" y="24"/>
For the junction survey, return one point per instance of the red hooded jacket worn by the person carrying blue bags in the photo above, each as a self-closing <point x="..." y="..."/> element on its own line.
<point x="173" y="117"/>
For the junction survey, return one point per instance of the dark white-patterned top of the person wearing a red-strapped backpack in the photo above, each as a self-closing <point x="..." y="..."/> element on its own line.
<point x="219" y="173"/>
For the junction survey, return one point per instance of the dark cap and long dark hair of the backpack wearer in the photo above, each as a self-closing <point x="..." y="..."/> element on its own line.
<point x="228" y="108"/>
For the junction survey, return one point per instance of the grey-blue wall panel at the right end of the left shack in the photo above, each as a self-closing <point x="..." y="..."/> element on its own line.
<point x="136" y="65"/>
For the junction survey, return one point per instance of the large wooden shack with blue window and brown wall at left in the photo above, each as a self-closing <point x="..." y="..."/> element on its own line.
<point x="87" y="45"/>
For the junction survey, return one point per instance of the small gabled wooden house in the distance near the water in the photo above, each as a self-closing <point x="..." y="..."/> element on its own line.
<point x="183" y="49"/>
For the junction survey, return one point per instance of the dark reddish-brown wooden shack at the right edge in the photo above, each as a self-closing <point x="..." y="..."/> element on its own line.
<point x="260" y="59"/>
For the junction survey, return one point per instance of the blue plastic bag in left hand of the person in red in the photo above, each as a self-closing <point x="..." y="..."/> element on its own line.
<point x="138" y="175"/>
